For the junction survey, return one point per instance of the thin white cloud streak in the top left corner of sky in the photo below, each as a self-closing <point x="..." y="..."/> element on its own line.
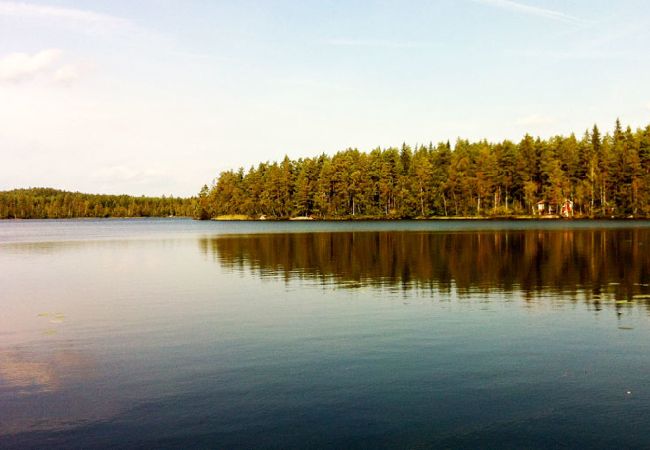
<point x="26" y="10"/>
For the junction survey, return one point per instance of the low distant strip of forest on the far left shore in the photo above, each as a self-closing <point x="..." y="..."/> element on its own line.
<point x="46" y="203"/>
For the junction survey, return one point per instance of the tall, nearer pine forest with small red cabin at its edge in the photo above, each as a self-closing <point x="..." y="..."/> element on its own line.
<point x="602" y="175"/>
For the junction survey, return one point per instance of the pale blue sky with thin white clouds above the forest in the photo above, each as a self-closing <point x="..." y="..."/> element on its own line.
<point x="154" y="97"/>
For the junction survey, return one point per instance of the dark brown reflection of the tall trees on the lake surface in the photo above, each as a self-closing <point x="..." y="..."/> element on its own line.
<point x="599" y="266"/>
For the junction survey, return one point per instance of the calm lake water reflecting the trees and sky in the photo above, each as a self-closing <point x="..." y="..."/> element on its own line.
<point x="177" y="333"/>
